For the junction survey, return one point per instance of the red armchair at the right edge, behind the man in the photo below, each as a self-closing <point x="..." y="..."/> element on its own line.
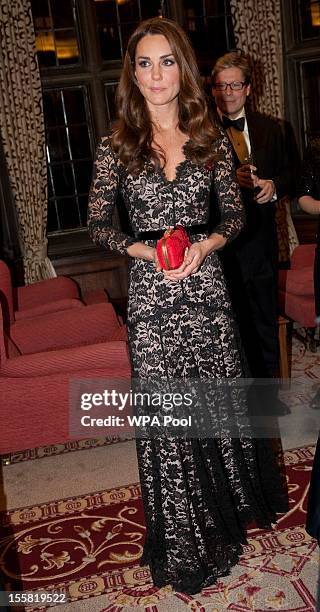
<point x="296" y="290"/>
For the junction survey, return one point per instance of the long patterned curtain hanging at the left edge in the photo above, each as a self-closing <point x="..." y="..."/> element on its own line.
<point x="22" y="132"/>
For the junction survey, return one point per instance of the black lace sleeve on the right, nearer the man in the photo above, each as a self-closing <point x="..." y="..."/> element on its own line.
<point x="227" y="190"/>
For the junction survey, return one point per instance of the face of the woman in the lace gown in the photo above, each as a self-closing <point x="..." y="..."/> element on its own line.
<point x="156" y="71"/>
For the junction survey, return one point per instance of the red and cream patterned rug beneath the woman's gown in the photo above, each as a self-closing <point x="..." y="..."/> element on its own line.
<point x="90" y="546"/>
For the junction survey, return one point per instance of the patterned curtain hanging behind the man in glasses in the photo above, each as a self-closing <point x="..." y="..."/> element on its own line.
<point x="257" y="30"/>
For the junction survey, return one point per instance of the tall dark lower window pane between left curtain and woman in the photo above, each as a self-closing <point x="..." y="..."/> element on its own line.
<point x="70" y="146"/>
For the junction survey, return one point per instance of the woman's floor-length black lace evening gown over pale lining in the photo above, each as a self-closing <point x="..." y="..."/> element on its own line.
<point x="198" y="494"/>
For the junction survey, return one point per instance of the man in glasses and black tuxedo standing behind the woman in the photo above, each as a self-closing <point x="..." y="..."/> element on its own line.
<point x="264" y="174"/>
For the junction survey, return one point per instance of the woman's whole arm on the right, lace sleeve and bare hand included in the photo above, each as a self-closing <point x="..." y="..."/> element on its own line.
<point x="231" y="214"/>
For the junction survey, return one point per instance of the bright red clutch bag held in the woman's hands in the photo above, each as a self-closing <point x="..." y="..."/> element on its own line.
<point x="171" y="248"/>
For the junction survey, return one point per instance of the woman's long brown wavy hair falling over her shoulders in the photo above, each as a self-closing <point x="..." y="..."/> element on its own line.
<point x="132" y="134"/>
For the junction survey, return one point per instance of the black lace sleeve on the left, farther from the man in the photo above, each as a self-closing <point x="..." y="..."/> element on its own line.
<point x="102" y="197"/>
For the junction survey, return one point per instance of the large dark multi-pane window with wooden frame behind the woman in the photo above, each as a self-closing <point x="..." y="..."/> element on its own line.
<point x="81" y="44"/>
